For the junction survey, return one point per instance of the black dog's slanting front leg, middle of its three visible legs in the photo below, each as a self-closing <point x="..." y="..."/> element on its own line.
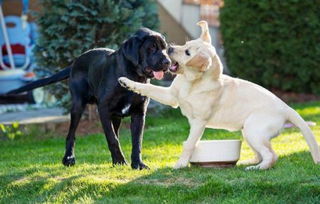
<point x="113" y="142"/>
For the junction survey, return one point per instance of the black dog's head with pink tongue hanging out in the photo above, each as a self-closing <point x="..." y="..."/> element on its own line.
<point x="146" y="50"/>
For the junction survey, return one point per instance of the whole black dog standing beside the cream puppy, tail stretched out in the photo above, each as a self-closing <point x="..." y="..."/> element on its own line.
<point x="94" y="79"/>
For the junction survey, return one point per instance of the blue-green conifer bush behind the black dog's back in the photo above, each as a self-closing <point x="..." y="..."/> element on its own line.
<point x="68" y="28"/>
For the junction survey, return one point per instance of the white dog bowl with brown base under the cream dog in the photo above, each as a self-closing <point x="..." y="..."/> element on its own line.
<point x="216" y="153"/>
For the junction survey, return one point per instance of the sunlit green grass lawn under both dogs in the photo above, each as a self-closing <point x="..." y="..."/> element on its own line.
<point x="31" y="169"/>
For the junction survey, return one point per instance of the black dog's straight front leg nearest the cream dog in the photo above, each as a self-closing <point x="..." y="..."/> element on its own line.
<point x="137" y="126"/>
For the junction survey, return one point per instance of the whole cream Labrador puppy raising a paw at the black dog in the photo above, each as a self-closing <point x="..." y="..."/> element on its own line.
<point x="210" y="99"/>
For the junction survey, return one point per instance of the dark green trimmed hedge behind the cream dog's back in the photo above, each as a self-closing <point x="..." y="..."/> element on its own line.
<point x="274" y="43"/>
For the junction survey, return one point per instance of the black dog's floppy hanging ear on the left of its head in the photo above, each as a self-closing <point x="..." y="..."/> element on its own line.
<point x="130" y="50"/>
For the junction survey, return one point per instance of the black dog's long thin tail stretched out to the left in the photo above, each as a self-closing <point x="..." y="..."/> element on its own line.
<point x="64" y="74"/>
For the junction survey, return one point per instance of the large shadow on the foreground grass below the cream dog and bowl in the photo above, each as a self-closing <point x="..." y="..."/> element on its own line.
<point x="288" y="182"/>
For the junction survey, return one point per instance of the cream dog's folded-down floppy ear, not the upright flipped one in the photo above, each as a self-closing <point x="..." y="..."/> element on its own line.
<point x="202" y="61"/>
